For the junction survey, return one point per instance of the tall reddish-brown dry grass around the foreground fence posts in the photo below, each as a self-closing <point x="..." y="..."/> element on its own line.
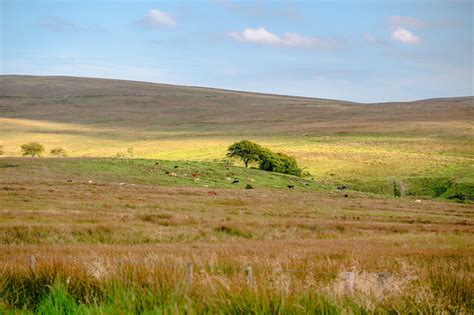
<point x="152" y="279"/>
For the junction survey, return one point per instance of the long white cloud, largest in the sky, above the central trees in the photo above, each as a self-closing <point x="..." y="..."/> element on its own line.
<point x="262" y="36"/>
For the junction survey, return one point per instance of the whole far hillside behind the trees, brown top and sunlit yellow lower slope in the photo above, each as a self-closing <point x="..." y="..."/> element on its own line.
<point x="426" y="143"/>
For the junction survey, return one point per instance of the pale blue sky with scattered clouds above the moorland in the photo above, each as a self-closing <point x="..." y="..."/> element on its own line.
<point x="364" y="51"/>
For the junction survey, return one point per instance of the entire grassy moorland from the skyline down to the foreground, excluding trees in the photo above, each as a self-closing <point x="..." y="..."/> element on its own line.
<point x="117" y="235"/>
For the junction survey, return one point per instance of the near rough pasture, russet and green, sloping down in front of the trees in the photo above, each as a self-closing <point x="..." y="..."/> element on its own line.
<point x="105" y="231"/>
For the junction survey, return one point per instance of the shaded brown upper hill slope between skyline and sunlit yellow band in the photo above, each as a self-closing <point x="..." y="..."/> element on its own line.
<point x="160" y="107"/>
